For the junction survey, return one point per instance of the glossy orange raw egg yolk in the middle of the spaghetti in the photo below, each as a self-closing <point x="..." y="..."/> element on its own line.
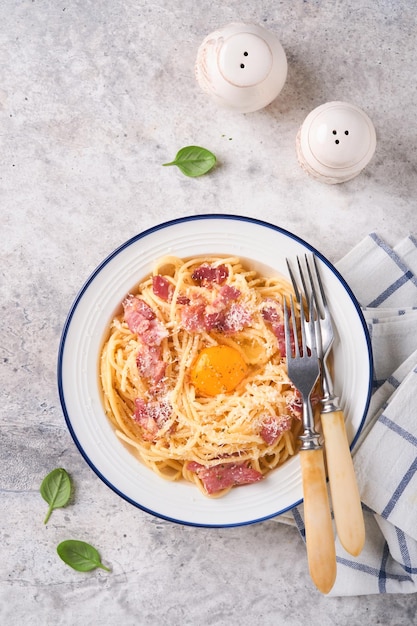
<point x="218" y="369"/>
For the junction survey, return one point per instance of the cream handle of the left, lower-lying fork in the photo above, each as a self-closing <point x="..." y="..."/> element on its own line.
<point x="321" y="552"/>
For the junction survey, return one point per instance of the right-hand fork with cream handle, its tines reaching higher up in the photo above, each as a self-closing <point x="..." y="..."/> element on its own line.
<point x="346" y="502"/>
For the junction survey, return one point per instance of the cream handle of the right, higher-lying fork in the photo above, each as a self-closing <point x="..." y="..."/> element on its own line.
<point x="344" y="490"/>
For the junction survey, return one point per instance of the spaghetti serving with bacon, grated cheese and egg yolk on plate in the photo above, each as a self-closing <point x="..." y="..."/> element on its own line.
<point x="194" y="377"/>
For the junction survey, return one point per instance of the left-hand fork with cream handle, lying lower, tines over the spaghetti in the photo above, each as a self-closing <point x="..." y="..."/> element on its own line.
<point x="303" y="370"/>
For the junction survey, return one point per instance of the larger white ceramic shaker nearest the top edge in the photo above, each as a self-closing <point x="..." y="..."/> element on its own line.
<point x="241" y="66"/>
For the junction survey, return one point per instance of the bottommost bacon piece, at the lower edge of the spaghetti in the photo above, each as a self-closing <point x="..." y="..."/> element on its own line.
<point x="224" y="475"/>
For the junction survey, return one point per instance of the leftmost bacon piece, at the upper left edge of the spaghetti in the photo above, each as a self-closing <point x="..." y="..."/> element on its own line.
<point x="142" y="320"/>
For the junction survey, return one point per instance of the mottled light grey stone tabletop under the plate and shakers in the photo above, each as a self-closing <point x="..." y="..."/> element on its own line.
<point x="94" y="97"/>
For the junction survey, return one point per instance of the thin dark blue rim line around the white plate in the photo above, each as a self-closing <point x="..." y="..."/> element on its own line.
<point x="116" y="252"/>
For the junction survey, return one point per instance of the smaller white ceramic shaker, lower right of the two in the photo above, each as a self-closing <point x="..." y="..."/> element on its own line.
<point x="335" y="142"/>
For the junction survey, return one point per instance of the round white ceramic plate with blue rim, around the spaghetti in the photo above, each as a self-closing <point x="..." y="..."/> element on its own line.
<point x="266" y="246"/>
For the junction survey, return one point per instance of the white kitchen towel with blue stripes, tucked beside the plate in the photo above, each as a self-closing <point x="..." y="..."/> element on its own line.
<point x="384" y="281"/>
